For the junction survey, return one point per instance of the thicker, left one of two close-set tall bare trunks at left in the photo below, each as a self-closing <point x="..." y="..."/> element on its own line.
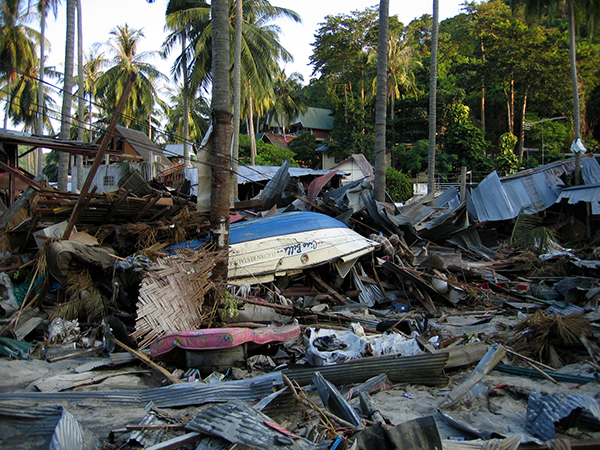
<point x="65" y="118"/>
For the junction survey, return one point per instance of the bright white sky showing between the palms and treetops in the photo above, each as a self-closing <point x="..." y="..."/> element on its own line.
<point x="100" y="17"/>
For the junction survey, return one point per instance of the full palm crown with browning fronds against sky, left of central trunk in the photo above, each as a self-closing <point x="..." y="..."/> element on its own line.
<point x="124" y="44"/>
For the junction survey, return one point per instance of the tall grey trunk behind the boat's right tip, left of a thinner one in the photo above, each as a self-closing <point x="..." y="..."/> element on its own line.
<point x="381" y="101"/>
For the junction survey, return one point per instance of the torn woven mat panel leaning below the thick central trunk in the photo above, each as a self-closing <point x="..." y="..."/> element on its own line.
<point x="172" y="295"/>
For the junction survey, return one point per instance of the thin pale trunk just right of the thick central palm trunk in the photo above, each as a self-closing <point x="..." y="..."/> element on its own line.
<point x="237" y="93"/>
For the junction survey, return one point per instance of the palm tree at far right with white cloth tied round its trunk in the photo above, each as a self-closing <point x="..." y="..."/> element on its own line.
<point x="587" y="9"/>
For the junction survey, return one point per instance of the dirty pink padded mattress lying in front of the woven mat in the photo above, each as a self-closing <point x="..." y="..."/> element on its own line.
<point x="220" y="338"/>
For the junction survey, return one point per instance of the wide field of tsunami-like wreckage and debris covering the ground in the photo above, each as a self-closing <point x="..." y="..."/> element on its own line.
<point x="345" y="323"/>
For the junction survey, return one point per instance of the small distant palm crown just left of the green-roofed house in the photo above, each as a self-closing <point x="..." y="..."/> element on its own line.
<point x="288" y="102"/>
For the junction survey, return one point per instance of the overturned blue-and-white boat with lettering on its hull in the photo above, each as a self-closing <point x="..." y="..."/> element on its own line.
<point x="283" y="244"/>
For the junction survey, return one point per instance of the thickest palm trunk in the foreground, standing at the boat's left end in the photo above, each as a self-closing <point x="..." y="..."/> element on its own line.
<point x="222" y="131"/>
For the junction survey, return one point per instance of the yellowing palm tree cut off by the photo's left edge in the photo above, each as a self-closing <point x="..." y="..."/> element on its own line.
<point x="17" y="48"/>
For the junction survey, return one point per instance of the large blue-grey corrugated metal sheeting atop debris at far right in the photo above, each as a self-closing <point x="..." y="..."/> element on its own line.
<point x="497" y="199"/>
